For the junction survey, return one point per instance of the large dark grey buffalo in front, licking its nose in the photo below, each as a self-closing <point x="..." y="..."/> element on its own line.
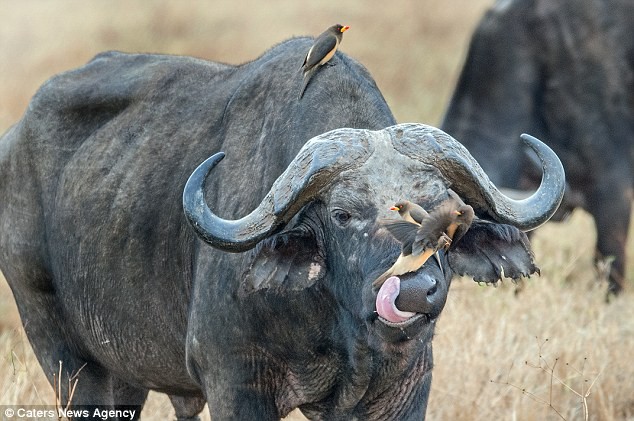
<point x="279" y="313"/>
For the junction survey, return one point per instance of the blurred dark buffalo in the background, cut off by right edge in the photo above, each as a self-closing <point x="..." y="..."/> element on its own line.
<point x="564" y="71"/>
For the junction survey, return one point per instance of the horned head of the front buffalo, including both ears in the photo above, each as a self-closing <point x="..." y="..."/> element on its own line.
<point x="320" y="223"/>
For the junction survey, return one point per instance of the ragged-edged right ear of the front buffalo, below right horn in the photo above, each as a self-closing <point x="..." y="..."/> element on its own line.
<point x="490" y="251"/>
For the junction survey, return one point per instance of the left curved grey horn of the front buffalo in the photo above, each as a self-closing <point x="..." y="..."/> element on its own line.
<point x="317" y="163"/>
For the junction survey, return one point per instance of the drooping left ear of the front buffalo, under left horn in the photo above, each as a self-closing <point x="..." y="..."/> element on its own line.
<point x="291" y="260"/>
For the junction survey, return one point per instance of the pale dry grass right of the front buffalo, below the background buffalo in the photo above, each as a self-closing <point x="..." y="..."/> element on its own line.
<point x="535" y="355"/>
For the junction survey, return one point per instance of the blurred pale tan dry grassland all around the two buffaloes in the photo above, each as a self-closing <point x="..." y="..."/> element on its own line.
<point x="553" y="351"/>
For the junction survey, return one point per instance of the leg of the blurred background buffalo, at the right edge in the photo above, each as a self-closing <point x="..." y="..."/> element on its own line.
<point x="611" y="211"/>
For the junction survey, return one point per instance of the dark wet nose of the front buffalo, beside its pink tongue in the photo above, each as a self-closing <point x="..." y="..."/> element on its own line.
<point x="422" y="294"/>
